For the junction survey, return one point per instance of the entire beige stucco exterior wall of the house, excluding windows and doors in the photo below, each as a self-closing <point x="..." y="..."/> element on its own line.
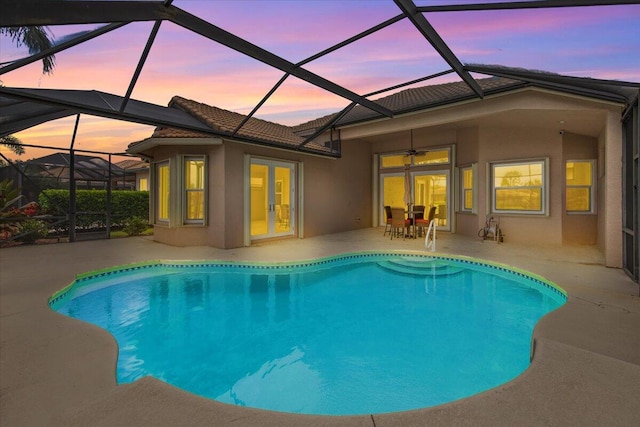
<point x="338" y="194"/>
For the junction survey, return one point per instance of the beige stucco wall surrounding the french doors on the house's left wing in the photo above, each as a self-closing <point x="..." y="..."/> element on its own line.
<point x="337" y="193"/>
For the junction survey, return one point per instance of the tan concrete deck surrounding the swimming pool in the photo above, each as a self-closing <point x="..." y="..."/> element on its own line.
<point x="58" y="371"/>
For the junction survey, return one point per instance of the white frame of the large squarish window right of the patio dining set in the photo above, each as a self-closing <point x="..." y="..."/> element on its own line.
<point x="544" y="188"/>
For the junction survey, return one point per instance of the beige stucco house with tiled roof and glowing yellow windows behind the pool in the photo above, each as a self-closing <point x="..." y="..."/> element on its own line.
<point x="544" y="158"/>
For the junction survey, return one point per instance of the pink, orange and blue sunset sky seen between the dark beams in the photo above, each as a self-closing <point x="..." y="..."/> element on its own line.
<point x="598" y="41"/>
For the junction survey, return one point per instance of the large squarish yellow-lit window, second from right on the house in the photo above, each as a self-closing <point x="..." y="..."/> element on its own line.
<point x="519" y="187"/>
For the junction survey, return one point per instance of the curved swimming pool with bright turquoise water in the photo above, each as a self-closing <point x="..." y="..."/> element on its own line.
<point x="358" y="333"/>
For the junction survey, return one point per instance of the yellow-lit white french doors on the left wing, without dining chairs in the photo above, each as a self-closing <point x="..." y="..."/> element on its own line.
<point x="272" y="201"/>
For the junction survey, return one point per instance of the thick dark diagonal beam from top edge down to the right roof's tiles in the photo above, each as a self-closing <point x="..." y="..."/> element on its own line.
<point x="432" y="36"/>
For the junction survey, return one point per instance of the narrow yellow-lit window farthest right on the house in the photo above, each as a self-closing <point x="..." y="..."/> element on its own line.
<point x="579" y="190"/>
